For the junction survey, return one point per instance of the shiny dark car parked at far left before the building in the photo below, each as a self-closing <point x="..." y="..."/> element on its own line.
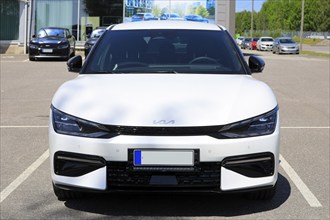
<point x="52" y="42"/>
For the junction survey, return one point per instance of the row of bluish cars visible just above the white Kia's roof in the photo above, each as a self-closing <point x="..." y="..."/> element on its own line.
<point x="168" y="16"/>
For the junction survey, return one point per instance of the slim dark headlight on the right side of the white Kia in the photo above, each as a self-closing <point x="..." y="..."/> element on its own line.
<point x="261" y="125"/>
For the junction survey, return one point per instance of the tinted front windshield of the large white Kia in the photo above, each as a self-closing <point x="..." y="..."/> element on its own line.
<point x="165" y="51"/>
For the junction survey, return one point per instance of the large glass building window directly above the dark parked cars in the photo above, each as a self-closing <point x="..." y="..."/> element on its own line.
<point x="79" y="16"/>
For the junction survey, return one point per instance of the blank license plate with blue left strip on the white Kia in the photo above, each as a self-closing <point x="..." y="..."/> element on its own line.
<point x="163" y="157"/>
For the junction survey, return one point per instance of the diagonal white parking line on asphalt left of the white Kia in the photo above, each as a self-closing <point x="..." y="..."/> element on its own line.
<point x="21" y="178"/>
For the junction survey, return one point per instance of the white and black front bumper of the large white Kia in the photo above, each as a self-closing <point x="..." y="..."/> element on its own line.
<point x="220" y="165"/>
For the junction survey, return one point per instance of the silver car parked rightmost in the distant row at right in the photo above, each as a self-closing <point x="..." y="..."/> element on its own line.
<point x="285" y="45"/>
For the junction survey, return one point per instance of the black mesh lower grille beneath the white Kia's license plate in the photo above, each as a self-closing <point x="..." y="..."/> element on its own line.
<point x="123" y="174"/>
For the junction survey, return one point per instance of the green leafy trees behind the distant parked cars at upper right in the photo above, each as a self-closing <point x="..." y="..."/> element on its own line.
<point x="283" y="15"/>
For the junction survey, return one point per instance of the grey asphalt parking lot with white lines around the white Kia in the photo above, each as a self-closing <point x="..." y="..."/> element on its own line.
<point x="301" y="84"/>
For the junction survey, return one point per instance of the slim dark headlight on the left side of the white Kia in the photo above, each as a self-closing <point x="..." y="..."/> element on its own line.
<point x="70" y="125"/>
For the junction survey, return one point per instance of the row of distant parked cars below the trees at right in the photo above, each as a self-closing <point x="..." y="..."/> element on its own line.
<point x="279" y="45"/>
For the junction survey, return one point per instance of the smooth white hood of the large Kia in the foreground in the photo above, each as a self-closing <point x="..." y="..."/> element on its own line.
<point x="182" y="99"/>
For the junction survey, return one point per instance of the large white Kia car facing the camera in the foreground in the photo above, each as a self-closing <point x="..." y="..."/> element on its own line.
<point x="171" y="106"/>
